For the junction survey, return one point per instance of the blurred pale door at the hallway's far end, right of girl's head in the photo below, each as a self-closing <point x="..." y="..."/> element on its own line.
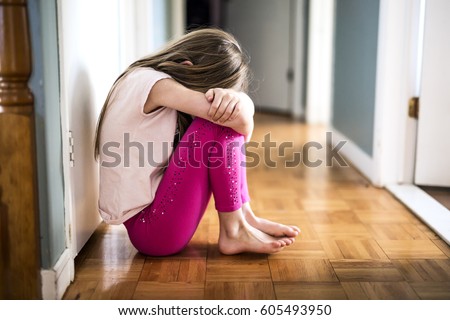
<point x="263" y="27"/>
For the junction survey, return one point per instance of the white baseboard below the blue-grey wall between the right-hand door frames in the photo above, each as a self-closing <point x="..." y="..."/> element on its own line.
<point x="358" y="158"/>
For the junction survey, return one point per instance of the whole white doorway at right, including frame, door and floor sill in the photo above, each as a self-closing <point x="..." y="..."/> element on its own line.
<point x="427" y="142"/>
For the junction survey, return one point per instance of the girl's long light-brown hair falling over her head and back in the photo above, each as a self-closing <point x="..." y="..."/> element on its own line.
<point x="217" y="62"/>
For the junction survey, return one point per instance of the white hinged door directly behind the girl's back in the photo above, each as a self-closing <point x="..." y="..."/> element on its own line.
<point x="90" y="62"/>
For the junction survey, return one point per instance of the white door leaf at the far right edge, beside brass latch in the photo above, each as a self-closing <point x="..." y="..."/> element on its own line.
<point x="433" y="136"/>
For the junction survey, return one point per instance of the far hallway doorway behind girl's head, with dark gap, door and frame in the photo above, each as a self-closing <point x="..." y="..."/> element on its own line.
<point x="274" y="37"/>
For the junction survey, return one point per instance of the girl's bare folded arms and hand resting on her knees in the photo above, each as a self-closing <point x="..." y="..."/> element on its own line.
<point x="226" y="107"/>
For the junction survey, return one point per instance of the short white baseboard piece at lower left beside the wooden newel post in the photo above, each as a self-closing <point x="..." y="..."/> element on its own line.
<point x="55" y="281"/>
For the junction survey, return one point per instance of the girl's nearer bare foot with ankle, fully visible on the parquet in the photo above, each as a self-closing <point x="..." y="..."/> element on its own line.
<point x="237" y="236"/>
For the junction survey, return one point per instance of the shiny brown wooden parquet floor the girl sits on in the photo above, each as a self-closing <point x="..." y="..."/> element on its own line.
<point x="357" y="241"/>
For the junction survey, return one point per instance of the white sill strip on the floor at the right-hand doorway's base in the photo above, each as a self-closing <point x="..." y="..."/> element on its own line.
<point x="429" y="210"/>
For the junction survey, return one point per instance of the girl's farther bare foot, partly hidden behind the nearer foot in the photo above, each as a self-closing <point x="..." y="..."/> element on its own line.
<point x="272" y="228"/>
